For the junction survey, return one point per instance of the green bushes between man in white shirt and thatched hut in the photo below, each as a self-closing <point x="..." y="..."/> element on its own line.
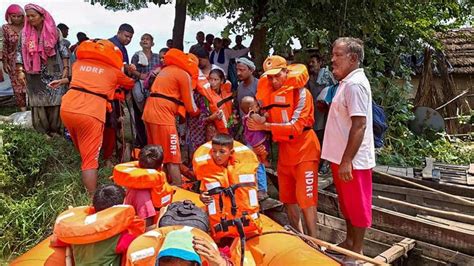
<point x="402" y="147"/>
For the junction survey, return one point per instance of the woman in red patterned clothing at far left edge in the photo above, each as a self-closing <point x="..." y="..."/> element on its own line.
<point x="11" y="31"/>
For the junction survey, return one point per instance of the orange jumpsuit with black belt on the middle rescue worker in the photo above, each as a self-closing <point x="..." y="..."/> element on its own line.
<point x="159" y="113"/>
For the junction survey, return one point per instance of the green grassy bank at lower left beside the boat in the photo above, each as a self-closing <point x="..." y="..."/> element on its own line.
<point x="30" y="201"/>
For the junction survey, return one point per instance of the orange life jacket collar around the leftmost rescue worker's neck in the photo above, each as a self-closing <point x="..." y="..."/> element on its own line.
<point x="101" y="50"/>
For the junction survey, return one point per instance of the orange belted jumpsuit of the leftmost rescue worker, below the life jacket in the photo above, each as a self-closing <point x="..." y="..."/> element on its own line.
<point x="83" y="113"/>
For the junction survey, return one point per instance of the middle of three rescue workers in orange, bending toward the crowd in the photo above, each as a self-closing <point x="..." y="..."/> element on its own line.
<point x="171" y="94"/>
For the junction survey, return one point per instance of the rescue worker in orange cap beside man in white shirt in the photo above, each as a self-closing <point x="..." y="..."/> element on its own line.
<point x="290" y="119"/>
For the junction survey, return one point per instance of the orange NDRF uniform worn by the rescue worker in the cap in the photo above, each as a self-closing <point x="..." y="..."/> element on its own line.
<point x="299" y="150"/>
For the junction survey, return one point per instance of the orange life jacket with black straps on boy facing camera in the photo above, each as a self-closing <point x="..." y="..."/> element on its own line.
<point x="234" y="190"/>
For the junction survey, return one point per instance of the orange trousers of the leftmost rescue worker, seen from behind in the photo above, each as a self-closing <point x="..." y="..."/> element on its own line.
<point x="86" y="134"/>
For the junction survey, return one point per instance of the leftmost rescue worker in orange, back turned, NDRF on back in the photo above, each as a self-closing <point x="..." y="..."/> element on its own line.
<point x="95" y="76"/>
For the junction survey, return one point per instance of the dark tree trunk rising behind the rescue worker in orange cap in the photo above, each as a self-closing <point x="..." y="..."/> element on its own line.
<point x="259" y="48"/>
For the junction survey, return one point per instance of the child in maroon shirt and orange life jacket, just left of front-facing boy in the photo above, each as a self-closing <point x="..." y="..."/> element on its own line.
<point x="147" y="188"/>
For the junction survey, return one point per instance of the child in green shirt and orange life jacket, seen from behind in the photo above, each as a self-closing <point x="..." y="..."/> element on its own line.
<point x="107" y="251"/>
